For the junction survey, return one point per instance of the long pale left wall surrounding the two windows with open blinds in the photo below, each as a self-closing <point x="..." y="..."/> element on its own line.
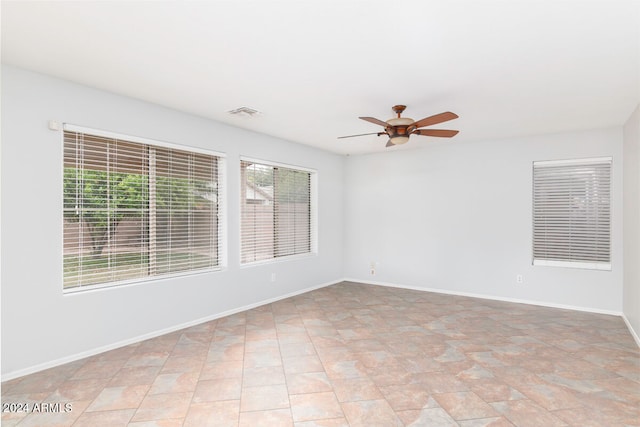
<point x="40" y="325"/>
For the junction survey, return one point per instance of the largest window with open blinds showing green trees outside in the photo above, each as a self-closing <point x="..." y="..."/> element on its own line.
<point x="136" y="209"/>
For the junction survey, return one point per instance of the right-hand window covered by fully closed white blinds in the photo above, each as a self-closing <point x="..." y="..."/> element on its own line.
<point x="571" y="213"/>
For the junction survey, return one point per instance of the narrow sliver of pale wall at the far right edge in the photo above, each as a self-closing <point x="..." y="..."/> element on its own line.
<point x="631" y="214"/>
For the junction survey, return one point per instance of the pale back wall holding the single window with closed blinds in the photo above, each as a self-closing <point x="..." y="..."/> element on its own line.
<point x="457" y="217"/>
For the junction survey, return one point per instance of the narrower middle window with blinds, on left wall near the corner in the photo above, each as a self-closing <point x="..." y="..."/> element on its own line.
<point x="276" y="211"/>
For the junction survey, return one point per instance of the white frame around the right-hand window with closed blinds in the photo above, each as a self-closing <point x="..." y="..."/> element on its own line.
<point x="577" y="263"/>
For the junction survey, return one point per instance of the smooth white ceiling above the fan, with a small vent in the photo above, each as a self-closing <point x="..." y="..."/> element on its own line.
<point x="507" y="68"/>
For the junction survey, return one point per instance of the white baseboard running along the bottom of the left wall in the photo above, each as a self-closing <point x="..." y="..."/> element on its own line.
<point x="72" y="358"/>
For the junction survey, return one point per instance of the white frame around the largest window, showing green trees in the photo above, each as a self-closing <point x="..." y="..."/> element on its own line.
<point x="221" y="205"/>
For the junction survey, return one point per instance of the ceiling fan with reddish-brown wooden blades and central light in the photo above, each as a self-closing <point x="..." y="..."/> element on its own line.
<point x="400" y="128"/>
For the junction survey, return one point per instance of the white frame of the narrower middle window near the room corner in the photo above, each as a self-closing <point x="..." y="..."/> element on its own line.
<point x="313" y="212"/>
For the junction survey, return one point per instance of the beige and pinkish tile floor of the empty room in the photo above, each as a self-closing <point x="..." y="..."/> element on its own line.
<point x="356" y="355"/>
